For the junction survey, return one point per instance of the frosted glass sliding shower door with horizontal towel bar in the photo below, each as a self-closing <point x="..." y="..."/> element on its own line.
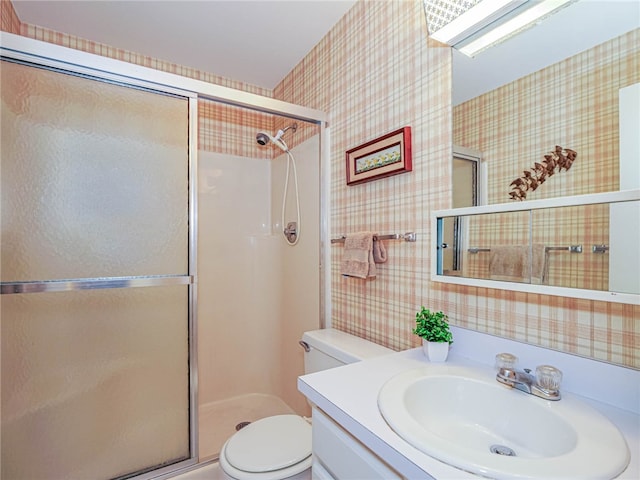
<point x="95" y="202"/>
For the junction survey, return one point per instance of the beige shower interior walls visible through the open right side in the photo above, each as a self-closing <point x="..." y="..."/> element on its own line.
<point x="256" y="294"/>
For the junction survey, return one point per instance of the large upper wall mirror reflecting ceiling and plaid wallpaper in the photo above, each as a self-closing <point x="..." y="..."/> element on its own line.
<point x="556" y="84"/>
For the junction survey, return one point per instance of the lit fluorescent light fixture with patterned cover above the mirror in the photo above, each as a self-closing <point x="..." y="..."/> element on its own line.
<point x="471" y="26"/>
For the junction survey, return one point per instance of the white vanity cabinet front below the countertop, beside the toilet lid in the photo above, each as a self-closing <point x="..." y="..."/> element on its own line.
<point x="337" y="455"/>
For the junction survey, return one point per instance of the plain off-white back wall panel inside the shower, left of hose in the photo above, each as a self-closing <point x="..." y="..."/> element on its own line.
<point x="238" y="334"/>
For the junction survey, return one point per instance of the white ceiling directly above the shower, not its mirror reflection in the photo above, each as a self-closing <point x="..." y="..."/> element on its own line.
<point x="257" y="42"/>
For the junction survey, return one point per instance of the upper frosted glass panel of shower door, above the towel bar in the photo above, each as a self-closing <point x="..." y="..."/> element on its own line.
<point x="94" y="178"/>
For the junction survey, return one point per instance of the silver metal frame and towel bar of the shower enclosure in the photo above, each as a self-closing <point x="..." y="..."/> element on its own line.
<point x="45" y="54"/>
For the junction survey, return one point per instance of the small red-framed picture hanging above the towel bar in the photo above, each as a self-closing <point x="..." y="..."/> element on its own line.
<point x="379" y="158"/>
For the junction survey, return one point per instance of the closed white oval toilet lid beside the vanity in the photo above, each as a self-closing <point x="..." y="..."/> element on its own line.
<point x="270" y="444"/>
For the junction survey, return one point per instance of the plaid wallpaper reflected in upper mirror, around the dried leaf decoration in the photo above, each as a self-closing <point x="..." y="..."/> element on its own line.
<point x="572" y="104"/>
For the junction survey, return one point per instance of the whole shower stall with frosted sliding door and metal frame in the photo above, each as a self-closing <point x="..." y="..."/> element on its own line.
<point x="149" y="302"/>
